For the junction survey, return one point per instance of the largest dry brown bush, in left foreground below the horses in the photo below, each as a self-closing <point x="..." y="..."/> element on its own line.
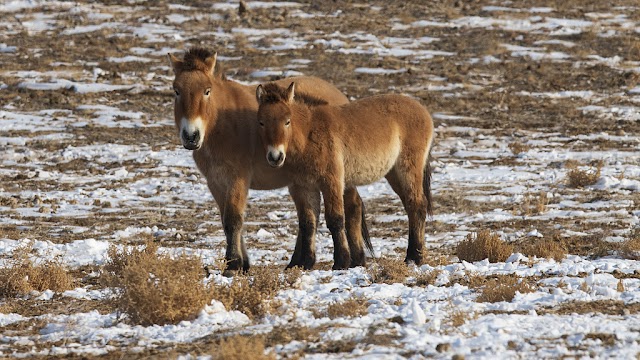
<point x="154" y="288"/>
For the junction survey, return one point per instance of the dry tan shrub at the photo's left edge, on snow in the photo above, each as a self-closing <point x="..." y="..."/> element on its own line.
<point x="21" y="275"/>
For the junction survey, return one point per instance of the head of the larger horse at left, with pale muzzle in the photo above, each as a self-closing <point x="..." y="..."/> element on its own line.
<point x="193" y="86"/>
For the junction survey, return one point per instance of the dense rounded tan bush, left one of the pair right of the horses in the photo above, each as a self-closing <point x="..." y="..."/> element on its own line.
<point x="484" y="245"/>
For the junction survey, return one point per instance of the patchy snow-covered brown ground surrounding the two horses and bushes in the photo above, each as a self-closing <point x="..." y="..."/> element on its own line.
<point x="88" y="157"/>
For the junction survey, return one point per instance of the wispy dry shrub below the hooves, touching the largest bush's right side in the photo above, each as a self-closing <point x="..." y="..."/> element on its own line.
<point x="252" y="294"/>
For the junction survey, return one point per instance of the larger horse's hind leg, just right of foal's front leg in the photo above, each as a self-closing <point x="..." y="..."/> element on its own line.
<point x="353" y="209"/>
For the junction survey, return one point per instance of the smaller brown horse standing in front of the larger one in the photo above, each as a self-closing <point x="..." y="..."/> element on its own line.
<point x="332" y="148"/>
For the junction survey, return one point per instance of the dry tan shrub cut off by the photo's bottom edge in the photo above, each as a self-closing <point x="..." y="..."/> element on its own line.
<point x="241" y="348"/>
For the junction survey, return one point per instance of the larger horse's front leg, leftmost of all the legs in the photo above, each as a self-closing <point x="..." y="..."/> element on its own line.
<point x="233" y="217"/>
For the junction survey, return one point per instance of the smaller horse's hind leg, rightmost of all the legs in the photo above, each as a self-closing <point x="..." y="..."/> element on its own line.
<point x="406" y="181"/>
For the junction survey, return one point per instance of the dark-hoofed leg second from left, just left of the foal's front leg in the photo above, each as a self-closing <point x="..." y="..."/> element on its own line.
<point x="308" y="208"/>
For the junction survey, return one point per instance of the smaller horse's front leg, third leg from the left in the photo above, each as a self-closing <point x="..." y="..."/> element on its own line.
<point x="334" y="214"/>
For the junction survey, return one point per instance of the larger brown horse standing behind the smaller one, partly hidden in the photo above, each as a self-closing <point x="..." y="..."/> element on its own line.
<point x="216" y="118"/>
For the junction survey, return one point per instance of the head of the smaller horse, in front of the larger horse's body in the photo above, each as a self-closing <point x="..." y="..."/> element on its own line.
<point x="274" y="118"/>
